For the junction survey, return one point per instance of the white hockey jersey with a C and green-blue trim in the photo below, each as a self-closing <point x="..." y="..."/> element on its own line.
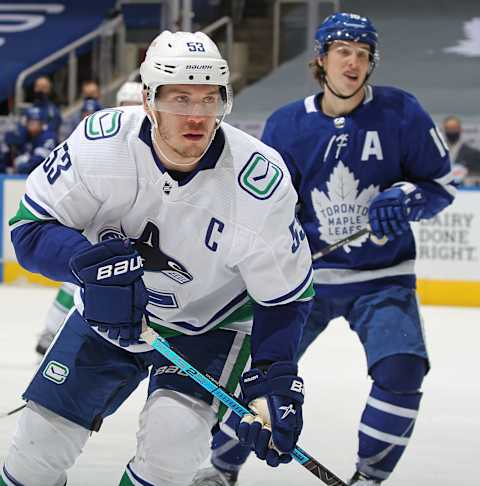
<point x="224" y="234"/>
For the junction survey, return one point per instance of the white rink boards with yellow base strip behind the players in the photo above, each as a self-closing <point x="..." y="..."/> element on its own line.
<point x="448" y="249"/>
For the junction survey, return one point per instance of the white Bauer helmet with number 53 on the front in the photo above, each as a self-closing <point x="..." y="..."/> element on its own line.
<point x="185" y="58"/>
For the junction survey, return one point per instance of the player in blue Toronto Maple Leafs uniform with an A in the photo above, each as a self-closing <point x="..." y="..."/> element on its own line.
<point x="361" y="154"/>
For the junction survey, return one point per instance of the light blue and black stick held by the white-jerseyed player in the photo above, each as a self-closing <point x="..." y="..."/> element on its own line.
<point x="164" y="347"/>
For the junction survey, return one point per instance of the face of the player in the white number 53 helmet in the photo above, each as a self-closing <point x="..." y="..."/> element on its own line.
<point x="187" y="135"/>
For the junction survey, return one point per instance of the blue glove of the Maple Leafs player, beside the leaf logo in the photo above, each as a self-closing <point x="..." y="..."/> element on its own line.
<point x="392" y="210"/>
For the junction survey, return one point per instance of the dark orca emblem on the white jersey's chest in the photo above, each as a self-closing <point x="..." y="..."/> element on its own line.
<point x="154" y="260"/>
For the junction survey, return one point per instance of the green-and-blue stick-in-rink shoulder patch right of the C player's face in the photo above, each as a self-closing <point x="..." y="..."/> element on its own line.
<point x="260" y="177"/>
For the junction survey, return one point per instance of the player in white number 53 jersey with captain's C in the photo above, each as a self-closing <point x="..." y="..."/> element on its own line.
<point x="167" y="214"/>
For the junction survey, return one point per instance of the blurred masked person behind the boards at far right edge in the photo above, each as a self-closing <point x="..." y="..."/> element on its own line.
<point x="465" y="157"/>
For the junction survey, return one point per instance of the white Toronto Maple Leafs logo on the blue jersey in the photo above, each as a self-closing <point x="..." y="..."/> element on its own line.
<point x="341" y="211"/>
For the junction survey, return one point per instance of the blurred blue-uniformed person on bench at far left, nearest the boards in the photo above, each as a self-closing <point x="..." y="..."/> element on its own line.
<point x="29" y="144"/>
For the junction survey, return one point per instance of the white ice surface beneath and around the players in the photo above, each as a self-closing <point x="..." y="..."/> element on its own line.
<point x="444" y="450"/>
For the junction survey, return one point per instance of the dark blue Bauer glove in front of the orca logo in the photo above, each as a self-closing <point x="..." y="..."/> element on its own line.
<point x="114" y="295"/>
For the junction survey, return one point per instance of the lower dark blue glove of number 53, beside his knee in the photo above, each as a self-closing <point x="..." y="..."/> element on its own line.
<point x="277" y="398"/>
